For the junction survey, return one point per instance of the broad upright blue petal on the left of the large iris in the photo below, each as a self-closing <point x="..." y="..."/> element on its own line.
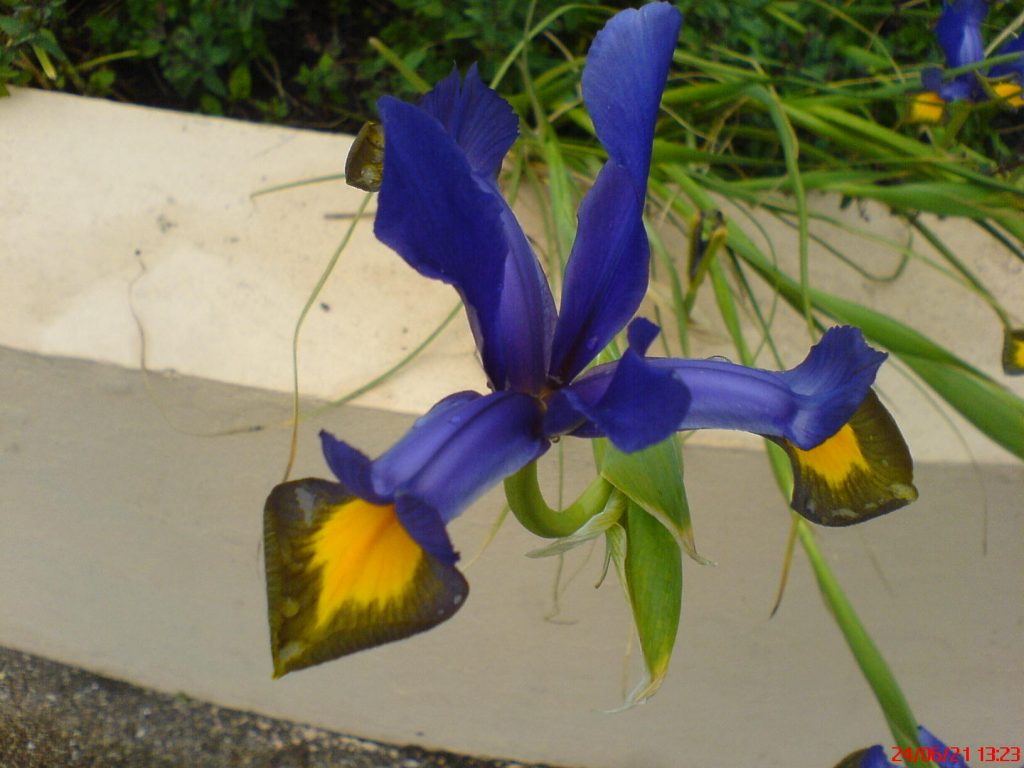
<point x="450" y="223"/>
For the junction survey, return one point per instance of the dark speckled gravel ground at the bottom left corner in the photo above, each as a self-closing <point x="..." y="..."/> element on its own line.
<point x="55" y="716"/>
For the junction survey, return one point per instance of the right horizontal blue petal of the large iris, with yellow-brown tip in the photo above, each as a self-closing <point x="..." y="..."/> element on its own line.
<point x="849" y="460"/>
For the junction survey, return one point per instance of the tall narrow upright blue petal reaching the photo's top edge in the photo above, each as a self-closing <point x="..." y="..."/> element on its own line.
<point x="608" y="271"/>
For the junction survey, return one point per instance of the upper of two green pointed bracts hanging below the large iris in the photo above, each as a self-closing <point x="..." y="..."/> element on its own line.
<point x="654" y="479"/>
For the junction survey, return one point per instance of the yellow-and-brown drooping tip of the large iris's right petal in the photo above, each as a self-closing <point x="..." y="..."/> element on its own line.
<point x="863" y="472"/>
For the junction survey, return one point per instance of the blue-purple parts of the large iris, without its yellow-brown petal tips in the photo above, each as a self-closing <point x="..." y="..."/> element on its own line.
<point x="442" y="210"/>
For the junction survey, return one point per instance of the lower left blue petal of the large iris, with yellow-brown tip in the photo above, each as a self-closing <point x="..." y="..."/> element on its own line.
<point x="368" y="561"/>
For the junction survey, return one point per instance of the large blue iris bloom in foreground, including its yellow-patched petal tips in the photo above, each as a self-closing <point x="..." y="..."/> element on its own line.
<point x="368" y="561"/>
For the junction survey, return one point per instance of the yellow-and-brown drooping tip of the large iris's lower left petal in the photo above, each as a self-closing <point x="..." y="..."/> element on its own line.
<point x="344" y="575"/>
